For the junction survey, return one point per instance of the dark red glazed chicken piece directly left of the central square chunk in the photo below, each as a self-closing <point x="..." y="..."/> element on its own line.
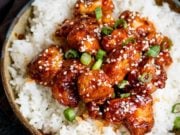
<point x="65" y="89"/>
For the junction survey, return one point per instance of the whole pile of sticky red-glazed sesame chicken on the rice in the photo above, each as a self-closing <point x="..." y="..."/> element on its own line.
<point x="128" y="59"/>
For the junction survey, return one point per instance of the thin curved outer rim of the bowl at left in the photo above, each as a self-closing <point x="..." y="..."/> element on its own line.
<point x="5" y="81"/>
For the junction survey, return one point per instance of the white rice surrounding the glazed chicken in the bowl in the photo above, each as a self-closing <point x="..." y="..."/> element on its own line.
<point x="36" y="102"/>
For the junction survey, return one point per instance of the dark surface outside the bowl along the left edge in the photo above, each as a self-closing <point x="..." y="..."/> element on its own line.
<point x="9" y="124"/>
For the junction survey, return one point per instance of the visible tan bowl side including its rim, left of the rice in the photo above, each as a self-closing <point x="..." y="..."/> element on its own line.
<point x="17" y="27"/>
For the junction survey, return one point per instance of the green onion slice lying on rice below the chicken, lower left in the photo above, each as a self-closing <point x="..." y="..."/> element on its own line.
<point x="69" y="114"/>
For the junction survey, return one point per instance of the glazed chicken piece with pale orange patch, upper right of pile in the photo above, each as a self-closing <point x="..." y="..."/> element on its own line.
<point x="141" y="25"/>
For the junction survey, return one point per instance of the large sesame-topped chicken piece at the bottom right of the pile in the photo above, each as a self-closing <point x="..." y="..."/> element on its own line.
<point x="135" y="112"/>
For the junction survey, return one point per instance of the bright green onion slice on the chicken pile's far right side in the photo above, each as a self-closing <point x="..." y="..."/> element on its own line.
<point x="153" y="51"/>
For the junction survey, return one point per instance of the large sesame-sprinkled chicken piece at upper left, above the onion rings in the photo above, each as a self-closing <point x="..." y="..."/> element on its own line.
<point x="82" y="34"/>
